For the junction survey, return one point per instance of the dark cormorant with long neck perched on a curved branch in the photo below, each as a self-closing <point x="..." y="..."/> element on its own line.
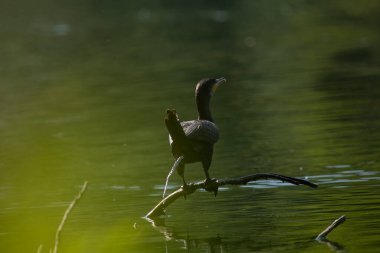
<point x="193" y="141"/>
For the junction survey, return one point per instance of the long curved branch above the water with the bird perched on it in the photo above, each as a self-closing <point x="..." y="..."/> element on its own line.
<point x="159" y="209"/>
